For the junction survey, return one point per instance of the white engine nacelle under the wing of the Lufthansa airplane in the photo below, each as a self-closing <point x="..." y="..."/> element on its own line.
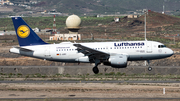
<point x="117" y="61"/>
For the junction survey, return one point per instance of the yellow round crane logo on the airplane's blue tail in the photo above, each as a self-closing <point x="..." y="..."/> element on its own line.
<point x="23" y="31"/>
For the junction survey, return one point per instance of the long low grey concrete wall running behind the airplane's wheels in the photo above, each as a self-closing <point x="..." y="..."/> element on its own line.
<point x="75" y="70"/>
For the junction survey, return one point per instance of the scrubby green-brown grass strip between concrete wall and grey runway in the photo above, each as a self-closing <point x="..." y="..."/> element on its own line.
<point x="98" y="77"/>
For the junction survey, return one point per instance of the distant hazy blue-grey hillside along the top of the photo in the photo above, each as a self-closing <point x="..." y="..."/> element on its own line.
<point x="101" y="6"/>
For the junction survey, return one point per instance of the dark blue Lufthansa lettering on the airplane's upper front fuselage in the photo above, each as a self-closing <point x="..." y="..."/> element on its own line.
<point x="129" y="44"/>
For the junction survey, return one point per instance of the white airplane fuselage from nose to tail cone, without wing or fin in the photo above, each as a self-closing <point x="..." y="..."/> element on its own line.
<point x="66" y="51"/>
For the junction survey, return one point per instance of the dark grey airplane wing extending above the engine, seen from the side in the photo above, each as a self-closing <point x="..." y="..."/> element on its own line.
<point x="91" y="53"/>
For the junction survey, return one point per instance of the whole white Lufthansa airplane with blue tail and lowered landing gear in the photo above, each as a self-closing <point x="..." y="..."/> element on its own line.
<point x="114" y="54"/>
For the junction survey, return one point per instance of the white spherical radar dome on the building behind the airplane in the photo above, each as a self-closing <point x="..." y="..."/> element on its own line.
<point x="73" y="22"/>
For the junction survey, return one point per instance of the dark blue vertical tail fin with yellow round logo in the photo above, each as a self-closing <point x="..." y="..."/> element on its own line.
<point x="26" y="36"/>
